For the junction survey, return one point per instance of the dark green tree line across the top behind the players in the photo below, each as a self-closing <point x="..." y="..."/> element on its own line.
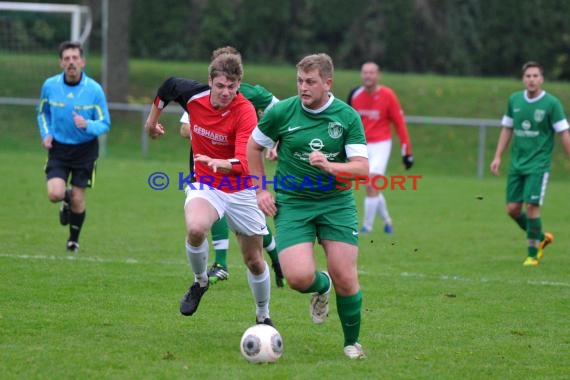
<point x="453" y="37"/>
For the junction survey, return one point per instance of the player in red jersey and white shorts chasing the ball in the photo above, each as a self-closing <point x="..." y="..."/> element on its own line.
<point x="221" y="122"/>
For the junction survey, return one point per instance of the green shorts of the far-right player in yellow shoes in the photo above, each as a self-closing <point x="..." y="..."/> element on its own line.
<point x="528" y="188"/>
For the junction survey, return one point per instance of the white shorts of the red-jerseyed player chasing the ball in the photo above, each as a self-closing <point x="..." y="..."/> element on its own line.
<point x="240" y="208"/>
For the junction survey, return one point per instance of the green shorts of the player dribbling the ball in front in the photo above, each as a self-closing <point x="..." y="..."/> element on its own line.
<point x="303" y="221"/>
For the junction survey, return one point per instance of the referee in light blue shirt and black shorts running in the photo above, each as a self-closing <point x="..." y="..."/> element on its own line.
<point x="72" y="113"/>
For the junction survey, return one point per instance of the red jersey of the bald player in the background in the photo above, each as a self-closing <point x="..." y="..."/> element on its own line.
<point x="378" y="111"/>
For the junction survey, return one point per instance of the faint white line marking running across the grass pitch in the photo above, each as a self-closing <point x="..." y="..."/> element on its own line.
<point x="131" y="261"/>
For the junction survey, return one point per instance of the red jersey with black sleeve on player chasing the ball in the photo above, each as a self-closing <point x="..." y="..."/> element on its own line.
<point x="218" y="133"/>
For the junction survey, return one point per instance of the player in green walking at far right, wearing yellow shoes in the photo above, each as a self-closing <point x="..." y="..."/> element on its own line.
<point x="533" y="118"/>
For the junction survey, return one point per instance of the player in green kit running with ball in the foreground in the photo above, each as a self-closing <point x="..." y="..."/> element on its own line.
<point x="319" y="138"/>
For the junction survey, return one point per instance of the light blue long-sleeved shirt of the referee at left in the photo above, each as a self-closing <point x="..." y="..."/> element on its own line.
<point x="58" y="101"/>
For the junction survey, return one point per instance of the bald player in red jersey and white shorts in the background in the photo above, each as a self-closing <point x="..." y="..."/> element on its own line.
<point x="379" y="108"/>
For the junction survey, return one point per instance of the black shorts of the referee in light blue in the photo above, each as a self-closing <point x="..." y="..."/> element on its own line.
<point x="78" y="160"/>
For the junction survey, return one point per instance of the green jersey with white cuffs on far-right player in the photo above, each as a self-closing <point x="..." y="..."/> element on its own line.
<point x="534" y="122"/>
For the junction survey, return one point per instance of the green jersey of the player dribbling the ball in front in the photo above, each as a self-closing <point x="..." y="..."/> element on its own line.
<point x="335" y="130"/>
